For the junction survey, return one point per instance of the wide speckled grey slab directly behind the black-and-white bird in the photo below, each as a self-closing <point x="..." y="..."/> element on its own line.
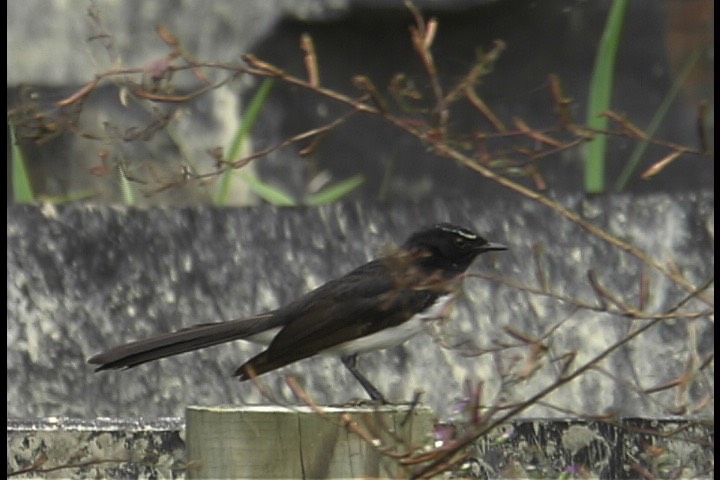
<point x="83" y="278"/>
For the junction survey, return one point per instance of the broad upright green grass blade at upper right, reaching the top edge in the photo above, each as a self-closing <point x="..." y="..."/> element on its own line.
<point x="600" y="94"/>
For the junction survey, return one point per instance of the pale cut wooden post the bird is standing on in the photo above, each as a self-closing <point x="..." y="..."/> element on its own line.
<point x="298" y="442"/>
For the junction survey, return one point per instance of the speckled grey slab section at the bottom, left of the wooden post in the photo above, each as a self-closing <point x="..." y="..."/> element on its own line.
<point x="97" y="448"/>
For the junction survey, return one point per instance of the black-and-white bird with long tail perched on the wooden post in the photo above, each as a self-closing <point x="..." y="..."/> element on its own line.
<point x="378" y="305"/>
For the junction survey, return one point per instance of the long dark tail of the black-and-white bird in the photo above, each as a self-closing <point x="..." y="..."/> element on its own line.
<point x="185" y="340"/>
